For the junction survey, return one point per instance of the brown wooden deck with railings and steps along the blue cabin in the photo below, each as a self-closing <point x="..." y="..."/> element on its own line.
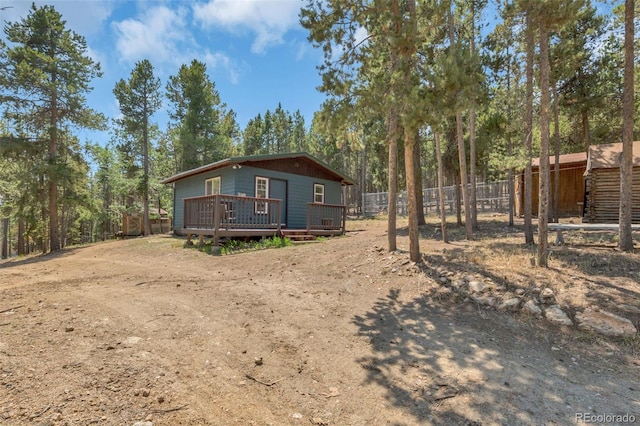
<point x="229" y="216"/>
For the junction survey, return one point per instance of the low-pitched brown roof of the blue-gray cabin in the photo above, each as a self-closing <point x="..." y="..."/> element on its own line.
<point x="249" y="159"/>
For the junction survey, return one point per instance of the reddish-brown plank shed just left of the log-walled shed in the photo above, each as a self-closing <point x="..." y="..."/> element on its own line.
<point x="572" y="168"/>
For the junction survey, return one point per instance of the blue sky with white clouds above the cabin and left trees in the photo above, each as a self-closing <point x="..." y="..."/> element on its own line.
<point x="256" y="51"/>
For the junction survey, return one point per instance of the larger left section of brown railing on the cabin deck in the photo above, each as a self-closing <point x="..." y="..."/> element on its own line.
<point x="232" y="212"/>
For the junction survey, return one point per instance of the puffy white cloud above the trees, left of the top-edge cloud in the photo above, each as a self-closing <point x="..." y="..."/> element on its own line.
<point x="156" y="35"/>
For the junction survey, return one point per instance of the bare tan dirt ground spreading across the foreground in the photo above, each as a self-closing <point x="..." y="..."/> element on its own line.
<point x="337" y="332"/>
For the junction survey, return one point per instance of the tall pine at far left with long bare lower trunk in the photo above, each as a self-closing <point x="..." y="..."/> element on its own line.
<point x="46" y="74"/>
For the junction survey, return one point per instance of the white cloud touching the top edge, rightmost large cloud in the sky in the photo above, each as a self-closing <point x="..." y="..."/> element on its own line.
<point x="269" y="20"/>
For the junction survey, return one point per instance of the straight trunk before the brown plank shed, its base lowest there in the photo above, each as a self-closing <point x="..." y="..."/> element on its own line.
<point x="543" y="180"/>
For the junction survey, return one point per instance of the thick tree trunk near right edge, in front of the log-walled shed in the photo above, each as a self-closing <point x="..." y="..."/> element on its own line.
<point x="625" y="242"/>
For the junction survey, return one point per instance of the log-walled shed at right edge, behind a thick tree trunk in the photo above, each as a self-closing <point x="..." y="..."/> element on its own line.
<point x="602" y="183"/>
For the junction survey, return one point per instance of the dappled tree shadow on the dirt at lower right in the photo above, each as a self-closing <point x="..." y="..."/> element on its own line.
<point x="457" y="365"/>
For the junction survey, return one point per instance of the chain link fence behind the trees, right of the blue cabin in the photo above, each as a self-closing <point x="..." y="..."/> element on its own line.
<point x="490" y="197"/>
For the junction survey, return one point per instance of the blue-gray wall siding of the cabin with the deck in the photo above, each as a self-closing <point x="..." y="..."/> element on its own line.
<point x="242" y="181"/>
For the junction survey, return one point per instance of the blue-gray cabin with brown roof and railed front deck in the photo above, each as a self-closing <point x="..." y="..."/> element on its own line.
<point x="258" y="196"/>
